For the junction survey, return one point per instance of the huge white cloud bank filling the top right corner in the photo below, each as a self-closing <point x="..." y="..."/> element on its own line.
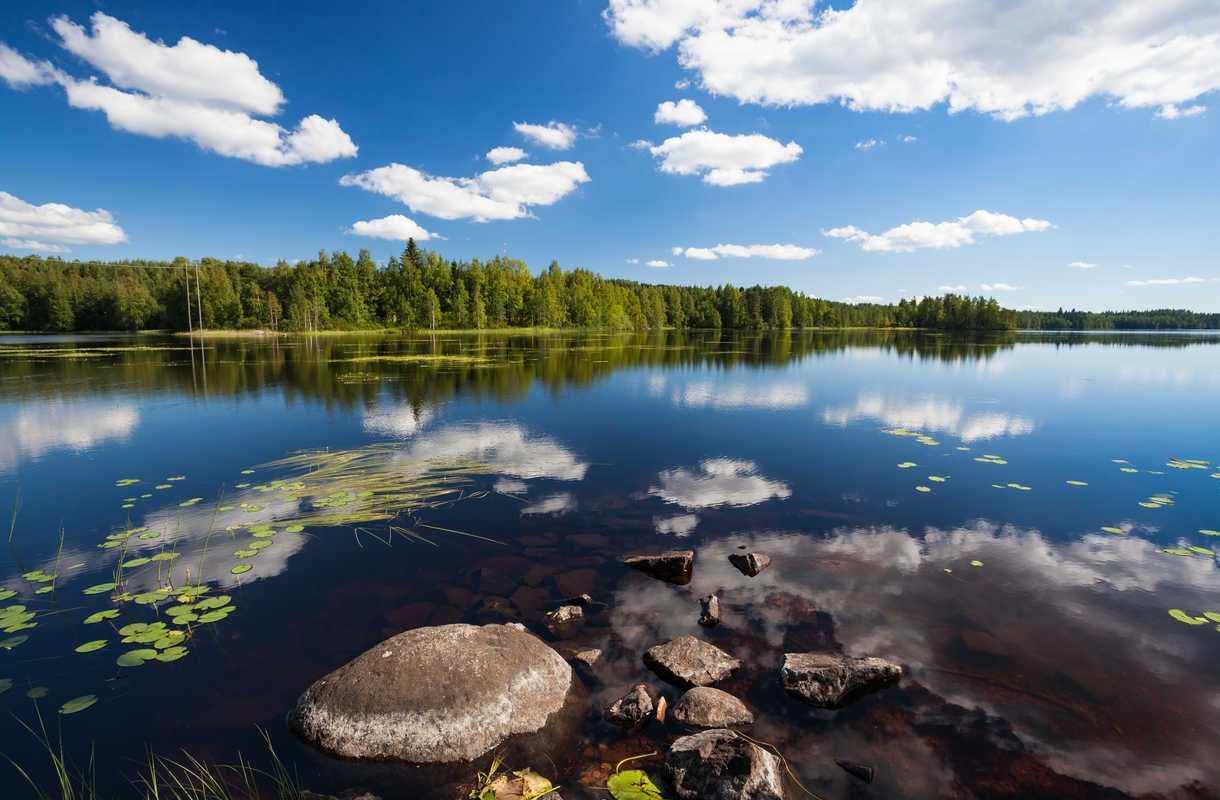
<point x="1008" y="59"/>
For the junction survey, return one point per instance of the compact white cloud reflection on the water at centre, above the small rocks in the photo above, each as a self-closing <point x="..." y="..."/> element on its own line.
<point x="718" y="482"/>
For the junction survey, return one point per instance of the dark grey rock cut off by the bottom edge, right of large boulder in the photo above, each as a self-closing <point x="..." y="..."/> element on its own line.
<point x="719" y="765"/>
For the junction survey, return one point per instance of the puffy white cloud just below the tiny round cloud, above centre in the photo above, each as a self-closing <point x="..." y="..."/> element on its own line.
<point x="724" y="160"/>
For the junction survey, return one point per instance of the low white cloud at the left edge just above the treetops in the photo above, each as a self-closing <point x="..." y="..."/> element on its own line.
<point x="53" y="225"/>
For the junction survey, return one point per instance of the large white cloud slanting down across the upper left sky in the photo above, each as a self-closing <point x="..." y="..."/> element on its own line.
<point x="188" y="91"/>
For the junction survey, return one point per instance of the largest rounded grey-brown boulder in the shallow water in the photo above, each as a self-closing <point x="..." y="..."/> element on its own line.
<point x="441" y="695"/>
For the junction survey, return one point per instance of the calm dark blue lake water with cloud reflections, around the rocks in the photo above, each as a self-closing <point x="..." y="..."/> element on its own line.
<point x="1032" y="614"/>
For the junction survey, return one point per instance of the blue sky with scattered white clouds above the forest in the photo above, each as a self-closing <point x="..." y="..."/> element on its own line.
<point x="1083" y="135"/>
